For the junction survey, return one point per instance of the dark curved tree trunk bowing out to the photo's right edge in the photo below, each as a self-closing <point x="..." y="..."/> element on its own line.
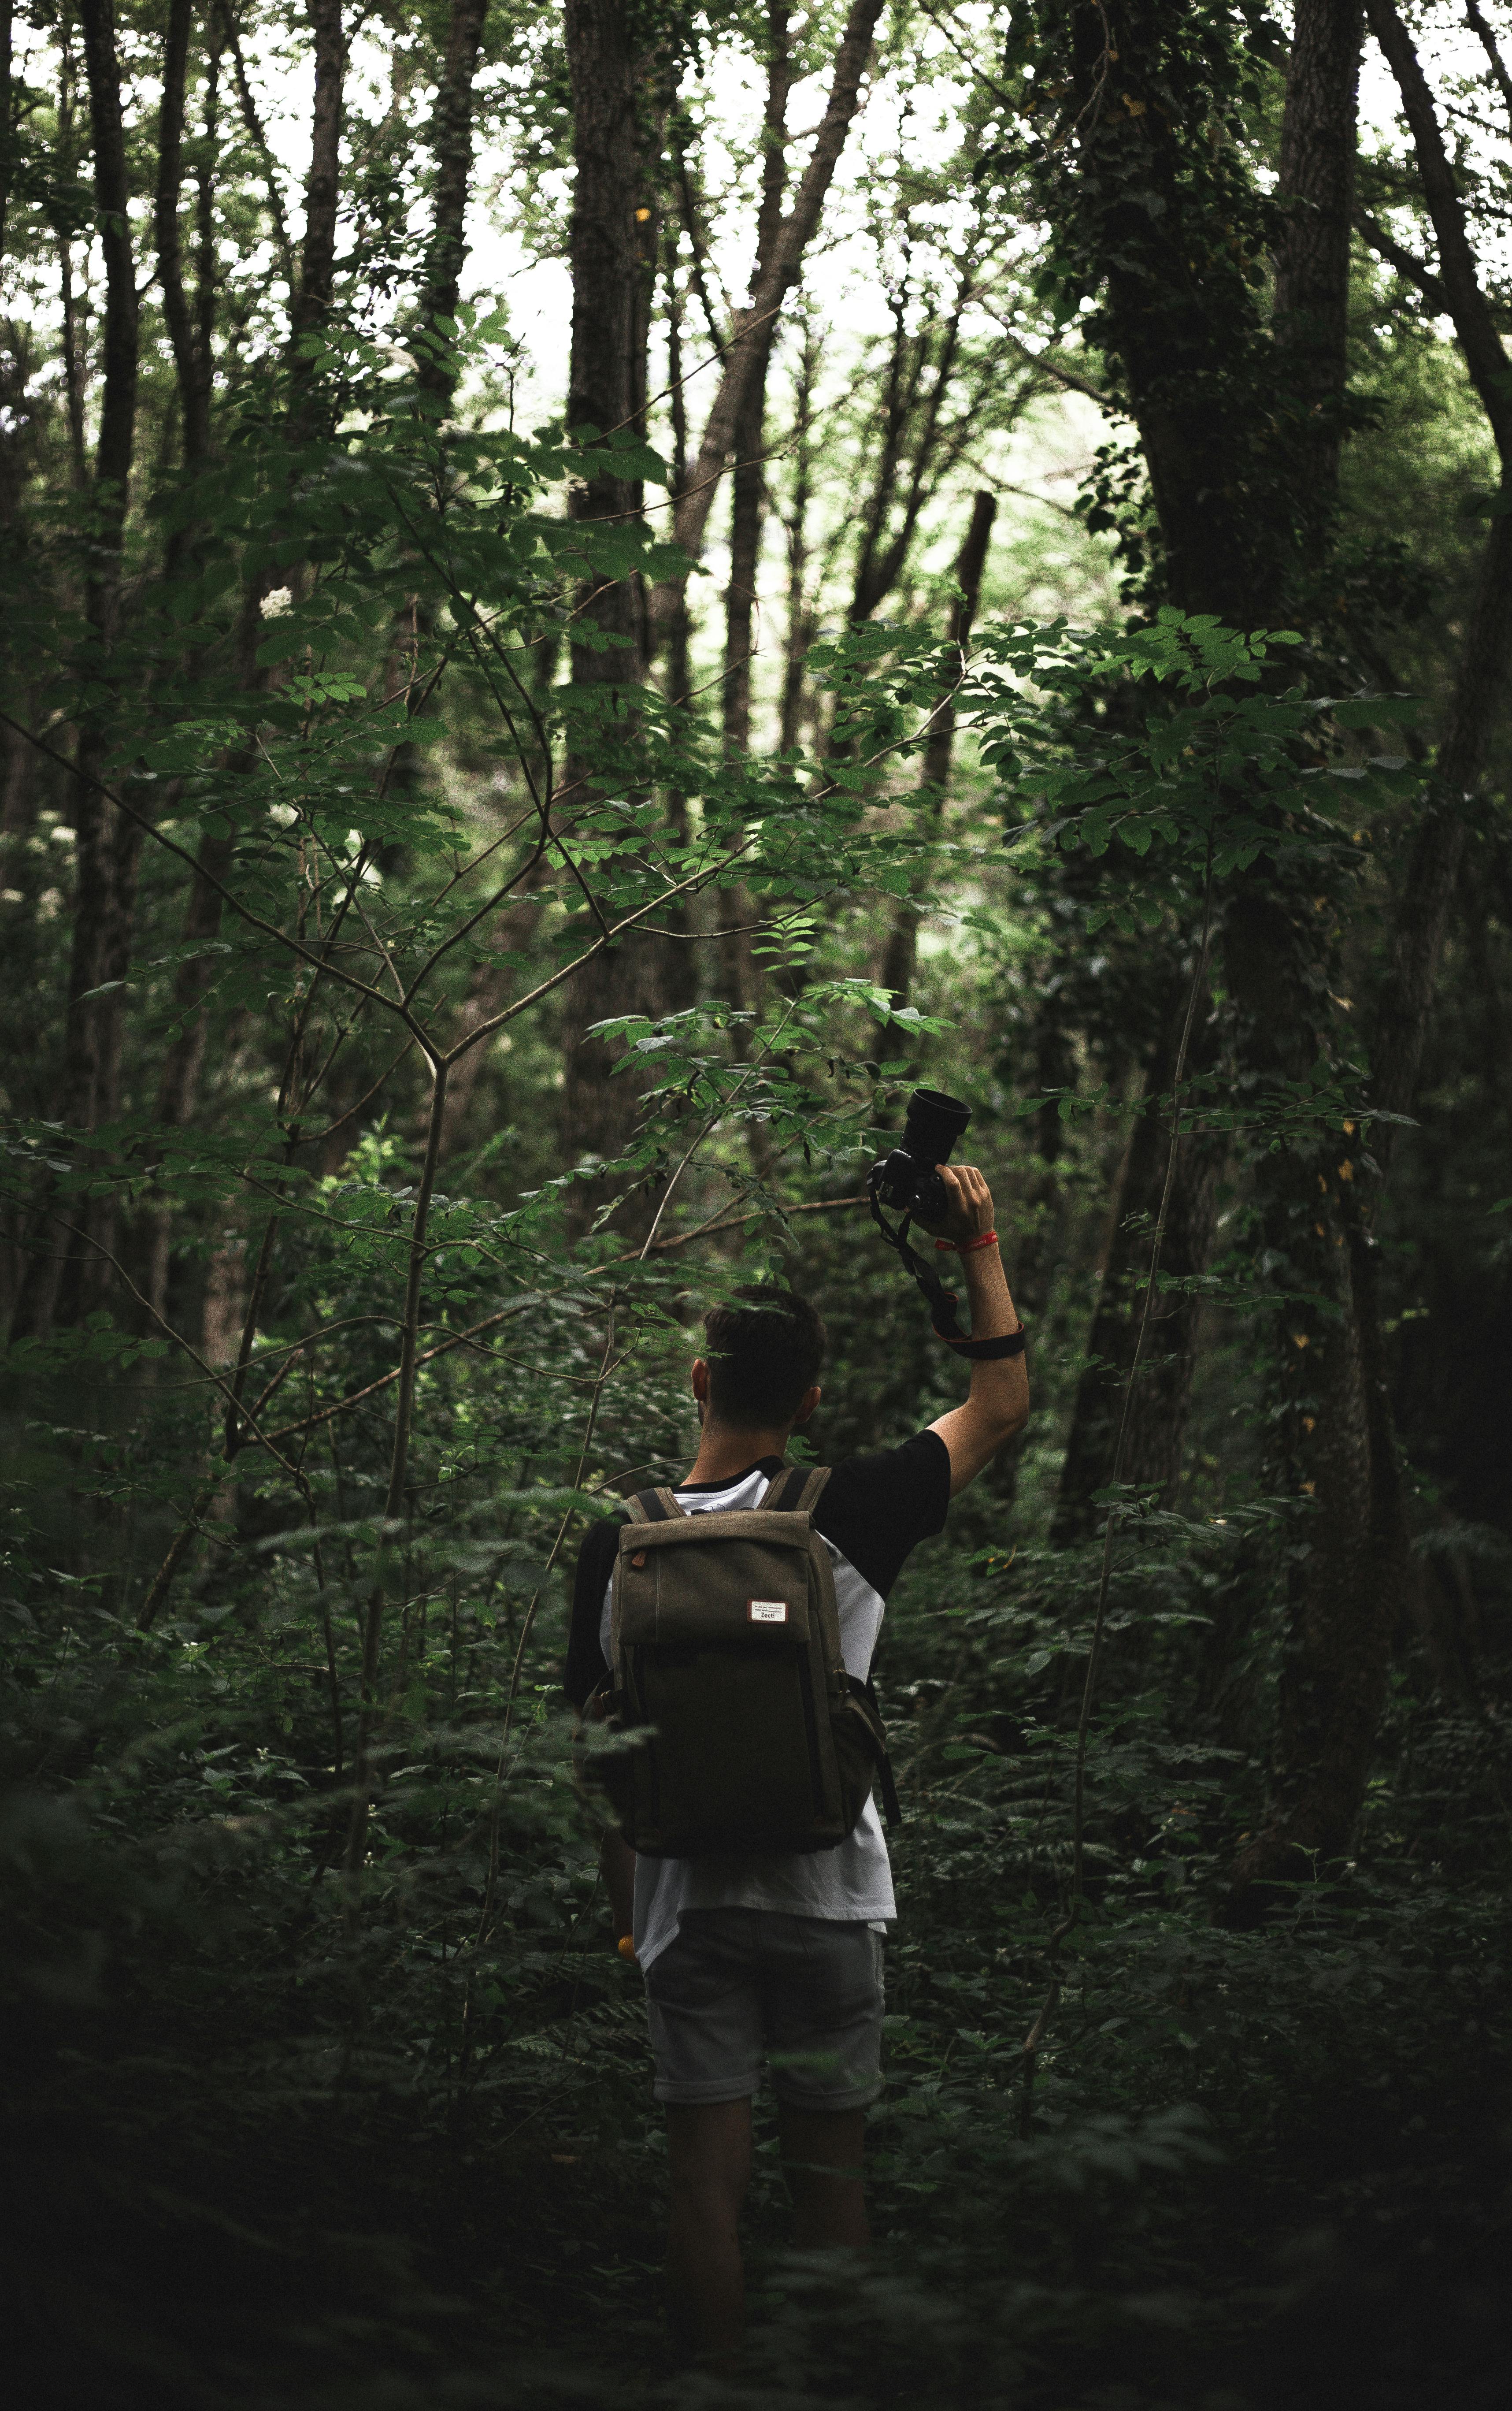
<point x="1356" y="1578"/>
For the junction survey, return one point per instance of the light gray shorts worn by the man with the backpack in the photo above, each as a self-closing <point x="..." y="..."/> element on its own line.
<point x="749" y="1985"/>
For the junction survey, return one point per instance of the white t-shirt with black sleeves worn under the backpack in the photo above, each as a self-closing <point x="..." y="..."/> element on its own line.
<point x="872" y="1510"/>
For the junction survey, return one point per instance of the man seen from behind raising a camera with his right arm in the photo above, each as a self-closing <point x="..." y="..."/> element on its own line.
<point x="783" y="1952"/>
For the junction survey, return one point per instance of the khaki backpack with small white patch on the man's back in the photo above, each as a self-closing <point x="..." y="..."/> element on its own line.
<point x="744" y="1730"/>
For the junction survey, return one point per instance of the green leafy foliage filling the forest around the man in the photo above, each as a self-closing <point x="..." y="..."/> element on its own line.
<point x="298" y="1467"/>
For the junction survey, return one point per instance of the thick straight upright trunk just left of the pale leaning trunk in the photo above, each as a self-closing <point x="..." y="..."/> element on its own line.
<point x="606" y="392"/>
